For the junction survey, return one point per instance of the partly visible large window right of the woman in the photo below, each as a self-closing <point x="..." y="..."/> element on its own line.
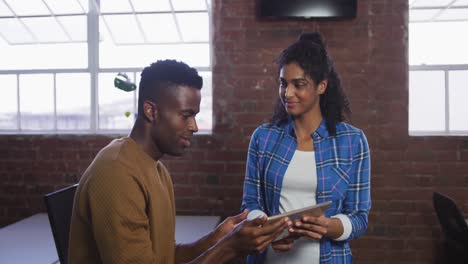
<point x="438" y="62"/>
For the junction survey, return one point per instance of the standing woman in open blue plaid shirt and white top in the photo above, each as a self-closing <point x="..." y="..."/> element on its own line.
<point x="306" y="155"/>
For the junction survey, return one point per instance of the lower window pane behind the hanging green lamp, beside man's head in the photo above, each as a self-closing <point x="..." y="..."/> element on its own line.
<point x="116" y="107"/>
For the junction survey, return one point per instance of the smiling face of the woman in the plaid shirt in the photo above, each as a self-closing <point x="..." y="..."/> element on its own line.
<point x="298" y="91"/>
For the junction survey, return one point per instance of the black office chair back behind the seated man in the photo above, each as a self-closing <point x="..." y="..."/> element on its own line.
<point x="59" y="209"/>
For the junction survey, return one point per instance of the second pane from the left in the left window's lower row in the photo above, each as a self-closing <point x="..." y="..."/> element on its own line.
<point x="37" y="101"/>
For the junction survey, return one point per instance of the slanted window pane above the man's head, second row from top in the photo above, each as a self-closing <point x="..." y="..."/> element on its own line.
<point x="159" y="27"/>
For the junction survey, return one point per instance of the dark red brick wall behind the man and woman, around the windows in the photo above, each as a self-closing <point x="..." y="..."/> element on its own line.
<point x="370" y="53"/>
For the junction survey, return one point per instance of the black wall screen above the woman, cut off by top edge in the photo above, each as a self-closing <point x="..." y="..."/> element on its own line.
<point x="307" y="8"/>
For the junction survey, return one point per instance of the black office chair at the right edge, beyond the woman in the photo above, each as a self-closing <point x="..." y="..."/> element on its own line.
<point x="454" y="228"/>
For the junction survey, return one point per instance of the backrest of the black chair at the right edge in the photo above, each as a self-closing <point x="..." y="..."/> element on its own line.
<point x="451" y="219"/>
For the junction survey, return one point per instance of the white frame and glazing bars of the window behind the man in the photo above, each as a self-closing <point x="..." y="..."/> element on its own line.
<point x="94" y="70"/>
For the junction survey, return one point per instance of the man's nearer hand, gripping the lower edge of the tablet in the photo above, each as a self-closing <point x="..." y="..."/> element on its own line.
<point x="253" y="237"/>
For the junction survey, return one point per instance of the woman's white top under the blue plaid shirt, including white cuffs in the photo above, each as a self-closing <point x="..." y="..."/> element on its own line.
<point x="299" y="190"/>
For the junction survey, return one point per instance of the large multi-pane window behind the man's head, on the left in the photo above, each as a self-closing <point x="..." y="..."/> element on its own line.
<point x="59" y="59"/>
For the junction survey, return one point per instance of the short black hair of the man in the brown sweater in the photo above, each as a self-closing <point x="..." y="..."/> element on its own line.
<point x="165" y="74"/>
